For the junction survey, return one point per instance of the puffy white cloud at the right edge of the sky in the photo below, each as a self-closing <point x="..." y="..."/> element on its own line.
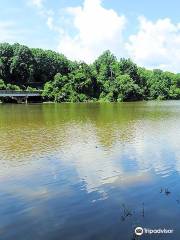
<point x="156" y="44"/>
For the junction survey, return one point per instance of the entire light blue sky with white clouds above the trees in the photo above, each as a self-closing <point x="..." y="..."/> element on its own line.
<point x="146" y="31"/>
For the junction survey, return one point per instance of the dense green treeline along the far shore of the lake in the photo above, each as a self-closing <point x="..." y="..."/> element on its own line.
<point x="62" y="80"/>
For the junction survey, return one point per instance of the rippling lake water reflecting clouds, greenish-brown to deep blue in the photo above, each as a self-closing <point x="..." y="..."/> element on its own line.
<point x="89" y="171"/>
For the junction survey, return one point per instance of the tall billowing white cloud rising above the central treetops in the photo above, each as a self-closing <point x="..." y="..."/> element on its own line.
<point x="97" y="29"/>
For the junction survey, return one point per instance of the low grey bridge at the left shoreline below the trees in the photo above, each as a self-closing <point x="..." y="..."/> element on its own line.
<point x="19" y="96"/>
